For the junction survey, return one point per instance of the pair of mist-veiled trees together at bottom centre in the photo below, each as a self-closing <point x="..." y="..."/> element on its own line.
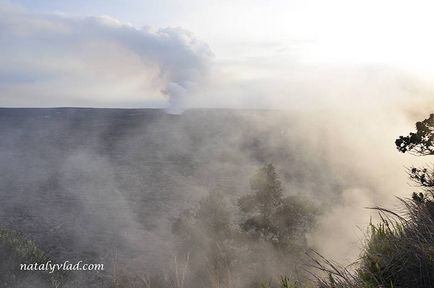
<point x="240" y="249"/>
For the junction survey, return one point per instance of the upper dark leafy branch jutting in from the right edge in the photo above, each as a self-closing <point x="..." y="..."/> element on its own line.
<point x="421" y="142"/>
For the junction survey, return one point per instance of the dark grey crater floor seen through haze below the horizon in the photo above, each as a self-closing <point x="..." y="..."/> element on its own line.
<point x="102" y="184"/>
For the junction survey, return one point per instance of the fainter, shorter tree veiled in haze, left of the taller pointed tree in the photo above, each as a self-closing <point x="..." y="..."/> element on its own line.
<point x="204" y="243"/>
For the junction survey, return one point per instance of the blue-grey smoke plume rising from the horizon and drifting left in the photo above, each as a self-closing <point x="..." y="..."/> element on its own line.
<point x="55" y="60"/>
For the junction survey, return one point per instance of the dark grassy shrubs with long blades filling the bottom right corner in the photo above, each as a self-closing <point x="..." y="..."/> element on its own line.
<point x="399" y="251"/>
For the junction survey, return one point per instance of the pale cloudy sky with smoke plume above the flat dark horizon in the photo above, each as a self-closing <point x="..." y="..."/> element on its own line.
<point x="242" y="54"/>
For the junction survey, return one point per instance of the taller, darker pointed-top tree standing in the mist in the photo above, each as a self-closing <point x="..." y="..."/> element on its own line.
<point x="283" y="221"/>
